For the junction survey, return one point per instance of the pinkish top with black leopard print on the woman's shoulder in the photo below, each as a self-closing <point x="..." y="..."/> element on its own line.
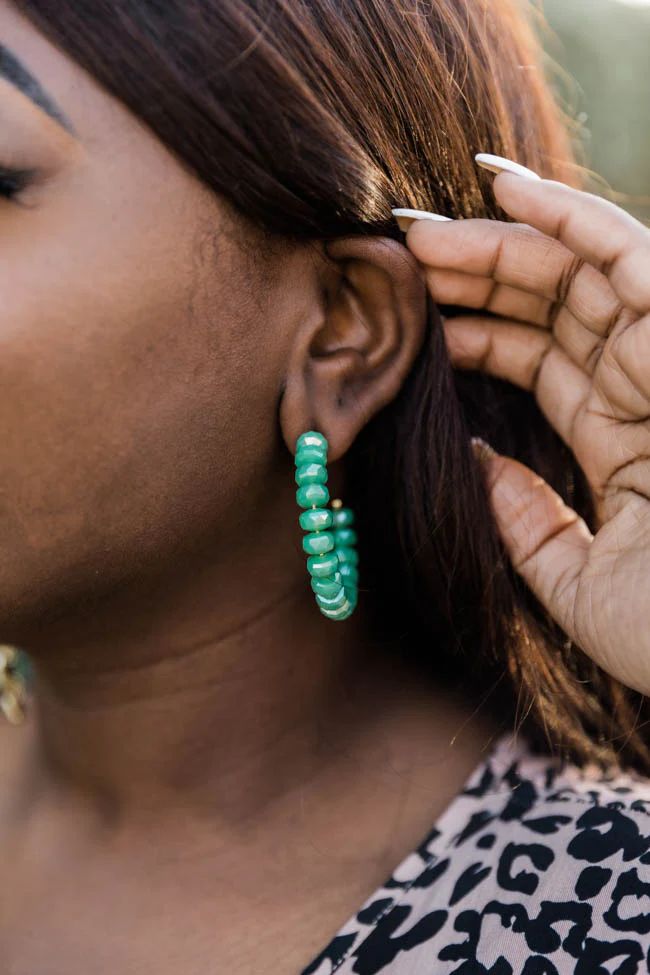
<point x="533" y="869"/>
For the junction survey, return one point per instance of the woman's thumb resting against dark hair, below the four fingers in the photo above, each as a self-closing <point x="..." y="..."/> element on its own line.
<point x="546" y="540"/>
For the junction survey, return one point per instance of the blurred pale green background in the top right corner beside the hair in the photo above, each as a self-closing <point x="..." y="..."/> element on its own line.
<point x="604" y="48"/>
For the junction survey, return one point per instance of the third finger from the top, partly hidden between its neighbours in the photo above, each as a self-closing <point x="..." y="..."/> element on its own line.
<point x="472" y="291"/>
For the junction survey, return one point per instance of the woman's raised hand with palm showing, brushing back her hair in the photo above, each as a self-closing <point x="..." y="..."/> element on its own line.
<point x="570" y="285"/>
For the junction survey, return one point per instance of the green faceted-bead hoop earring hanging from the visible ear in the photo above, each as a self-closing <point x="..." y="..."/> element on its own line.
<point x="332" y="556"/>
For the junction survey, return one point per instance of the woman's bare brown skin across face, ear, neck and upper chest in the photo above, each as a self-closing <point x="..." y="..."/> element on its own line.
<point x="206" y="755"/>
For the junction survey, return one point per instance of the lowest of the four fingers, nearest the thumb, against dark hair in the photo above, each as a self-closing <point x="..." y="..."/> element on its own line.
<point x="526" y="356"/>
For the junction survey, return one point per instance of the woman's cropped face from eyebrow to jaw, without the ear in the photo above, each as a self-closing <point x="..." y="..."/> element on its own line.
<point x="140" y="357"/>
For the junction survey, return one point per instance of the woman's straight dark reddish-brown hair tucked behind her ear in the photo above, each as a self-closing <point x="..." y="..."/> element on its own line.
<point x="313" y="118"/>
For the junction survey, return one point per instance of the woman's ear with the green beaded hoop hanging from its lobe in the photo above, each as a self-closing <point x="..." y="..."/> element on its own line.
<point x="353" y="357"/>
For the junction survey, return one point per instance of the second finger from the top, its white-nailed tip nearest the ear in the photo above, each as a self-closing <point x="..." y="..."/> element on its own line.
<point x="520" y="257"/>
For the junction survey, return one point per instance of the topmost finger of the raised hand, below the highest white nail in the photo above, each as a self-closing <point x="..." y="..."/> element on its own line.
<point x="613" y="241"/>
